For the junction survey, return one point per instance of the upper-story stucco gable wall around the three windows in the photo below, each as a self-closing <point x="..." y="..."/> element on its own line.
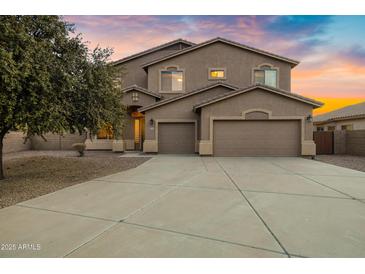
<point x="239" y="64"/>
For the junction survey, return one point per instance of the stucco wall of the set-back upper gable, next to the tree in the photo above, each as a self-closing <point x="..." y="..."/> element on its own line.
<point x="133" y="73"/>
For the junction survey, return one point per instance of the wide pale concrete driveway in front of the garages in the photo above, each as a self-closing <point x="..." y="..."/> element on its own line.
<point x="190" y="206"/>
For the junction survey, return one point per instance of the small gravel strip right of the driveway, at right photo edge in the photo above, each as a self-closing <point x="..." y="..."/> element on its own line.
<point x="349" y="161"/>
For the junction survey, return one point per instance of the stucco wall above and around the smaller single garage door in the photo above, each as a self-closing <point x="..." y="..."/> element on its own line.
<point x="180" y="109"/>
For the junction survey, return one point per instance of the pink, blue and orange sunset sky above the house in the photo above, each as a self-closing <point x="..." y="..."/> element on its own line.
<point x="331" y="49"/>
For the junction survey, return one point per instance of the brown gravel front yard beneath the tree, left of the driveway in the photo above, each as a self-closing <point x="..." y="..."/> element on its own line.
<point x="32" y="174"/>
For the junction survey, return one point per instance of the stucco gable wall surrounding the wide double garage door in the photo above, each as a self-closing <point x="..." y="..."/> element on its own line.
<point x="256" y="99"/>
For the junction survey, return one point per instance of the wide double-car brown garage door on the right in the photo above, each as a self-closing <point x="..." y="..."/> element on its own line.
<point x="256" y="138"/>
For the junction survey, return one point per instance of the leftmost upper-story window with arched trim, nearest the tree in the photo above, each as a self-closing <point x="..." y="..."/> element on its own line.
<point x="172" y="80"/>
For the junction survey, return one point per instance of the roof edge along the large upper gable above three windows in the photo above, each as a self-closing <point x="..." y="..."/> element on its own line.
<point x="207" y="42"/>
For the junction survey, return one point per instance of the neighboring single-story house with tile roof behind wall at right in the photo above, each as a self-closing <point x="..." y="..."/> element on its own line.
<point x="347" y="118"/>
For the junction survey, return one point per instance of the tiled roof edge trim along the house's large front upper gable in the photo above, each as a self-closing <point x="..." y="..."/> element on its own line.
<point x="226" y="41"/>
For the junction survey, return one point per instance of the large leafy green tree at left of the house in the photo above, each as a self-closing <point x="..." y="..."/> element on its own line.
<point x="51" y="82"/>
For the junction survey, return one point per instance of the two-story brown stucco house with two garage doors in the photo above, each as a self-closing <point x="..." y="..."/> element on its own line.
<point x="218" y="98"/>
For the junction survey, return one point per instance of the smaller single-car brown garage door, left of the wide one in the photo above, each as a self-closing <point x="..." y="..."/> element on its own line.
<point x="176" y="138"/>
